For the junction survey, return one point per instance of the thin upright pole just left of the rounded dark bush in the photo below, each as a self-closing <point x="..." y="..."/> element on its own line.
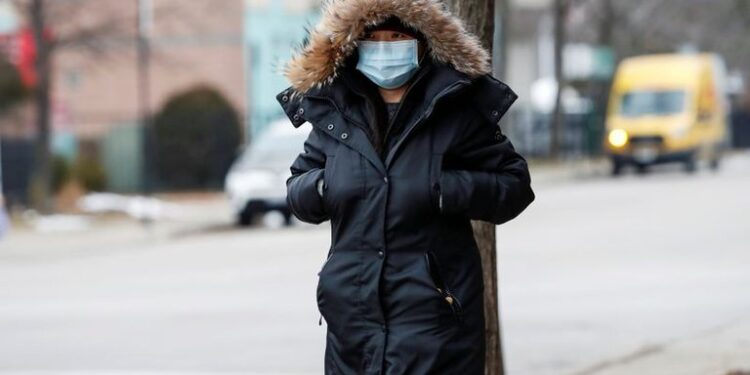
<point x="143" y="25"/>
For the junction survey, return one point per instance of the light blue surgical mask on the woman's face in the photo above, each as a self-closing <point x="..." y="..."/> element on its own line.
<point x="388" y="64"/>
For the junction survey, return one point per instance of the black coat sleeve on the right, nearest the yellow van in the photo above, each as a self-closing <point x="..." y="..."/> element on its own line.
<point x="495" y="184"/>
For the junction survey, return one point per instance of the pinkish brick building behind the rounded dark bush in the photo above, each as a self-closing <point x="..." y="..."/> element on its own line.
<point x="95" y="90"/>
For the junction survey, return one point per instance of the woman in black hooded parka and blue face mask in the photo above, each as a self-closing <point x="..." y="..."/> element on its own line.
<point x="405" y="150"/>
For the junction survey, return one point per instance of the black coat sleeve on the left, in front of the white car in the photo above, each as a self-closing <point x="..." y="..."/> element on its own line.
<point x="302" y="196"/>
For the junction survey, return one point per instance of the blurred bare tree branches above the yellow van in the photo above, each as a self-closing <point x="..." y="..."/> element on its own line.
<point x="652" y="26"/>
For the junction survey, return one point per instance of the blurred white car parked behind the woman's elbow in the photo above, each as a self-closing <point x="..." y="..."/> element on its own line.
<point x="256" y="182"/>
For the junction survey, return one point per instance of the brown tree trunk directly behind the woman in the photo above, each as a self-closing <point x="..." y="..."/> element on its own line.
<point x="479" y="17"/>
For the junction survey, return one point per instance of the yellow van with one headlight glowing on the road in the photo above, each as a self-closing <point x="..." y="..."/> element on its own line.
<point x="667" y="108"/>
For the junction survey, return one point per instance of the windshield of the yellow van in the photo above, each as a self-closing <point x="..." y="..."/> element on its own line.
<point x="652" y="103"/>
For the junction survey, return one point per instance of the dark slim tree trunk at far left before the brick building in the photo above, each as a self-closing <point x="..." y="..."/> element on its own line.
<point x="41" y="178"/>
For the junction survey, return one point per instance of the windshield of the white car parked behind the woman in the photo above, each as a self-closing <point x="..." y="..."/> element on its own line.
<point x="273" y="152"/>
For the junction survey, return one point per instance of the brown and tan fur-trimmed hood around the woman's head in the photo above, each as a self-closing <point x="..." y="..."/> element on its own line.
<point x="334" y="39"/>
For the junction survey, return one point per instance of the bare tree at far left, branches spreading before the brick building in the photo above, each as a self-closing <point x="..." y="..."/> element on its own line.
<point x="91" y="26"/>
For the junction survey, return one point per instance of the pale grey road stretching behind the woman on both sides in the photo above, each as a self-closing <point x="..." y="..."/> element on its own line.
<point x="634" y="275"/>
